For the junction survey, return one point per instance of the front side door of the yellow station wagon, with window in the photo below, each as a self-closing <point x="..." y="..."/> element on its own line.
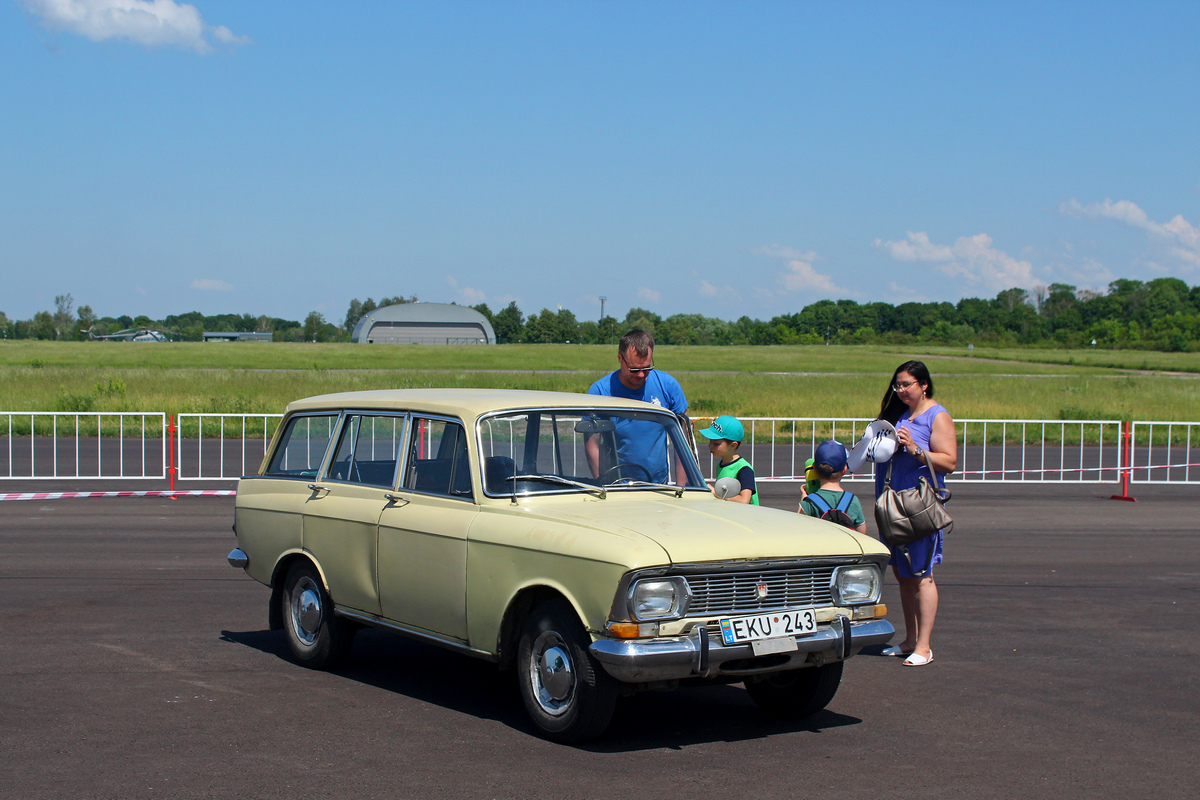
<point x="423" y="538"/>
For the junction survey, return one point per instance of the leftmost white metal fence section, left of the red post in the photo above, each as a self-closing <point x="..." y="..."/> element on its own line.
<point x="56" y="446"/>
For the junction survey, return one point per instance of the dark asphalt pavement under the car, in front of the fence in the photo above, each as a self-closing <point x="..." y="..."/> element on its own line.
<point x="136" y="664"/>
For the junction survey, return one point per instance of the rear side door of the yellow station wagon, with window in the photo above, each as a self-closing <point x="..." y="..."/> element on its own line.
<point x="343" y="516"/>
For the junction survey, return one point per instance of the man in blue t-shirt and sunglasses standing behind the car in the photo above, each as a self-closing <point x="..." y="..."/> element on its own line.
<point x="641" y="443"/>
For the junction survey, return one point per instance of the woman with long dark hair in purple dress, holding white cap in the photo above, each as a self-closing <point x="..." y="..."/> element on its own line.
<point x="923" y="428"/>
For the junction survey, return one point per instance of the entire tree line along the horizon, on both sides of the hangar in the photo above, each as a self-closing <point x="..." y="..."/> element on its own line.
<point x="1160" y="315"/>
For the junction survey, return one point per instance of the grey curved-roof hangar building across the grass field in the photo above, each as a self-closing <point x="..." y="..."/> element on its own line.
<point x="424" y="323"/>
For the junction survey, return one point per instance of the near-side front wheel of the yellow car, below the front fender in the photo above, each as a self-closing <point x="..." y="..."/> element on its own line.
<point x="569" y="697"/>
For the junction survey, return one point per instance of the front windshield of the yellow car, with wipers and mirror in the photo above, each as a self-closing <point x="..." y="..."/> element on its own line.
<point x="579" y="450"/>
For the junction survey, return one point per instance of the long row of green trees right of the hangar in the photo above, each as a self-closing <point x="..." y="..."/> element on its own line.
<point x="1161" y="315"/>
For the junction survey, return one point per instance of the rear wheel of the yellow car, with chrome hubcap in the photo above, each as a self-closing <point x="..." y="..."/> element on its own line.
<point x="319" y="639"/>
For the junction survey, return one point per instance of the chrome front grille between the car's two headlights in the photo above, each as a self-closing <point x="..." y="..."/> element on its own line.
<point x="727" y="593"/>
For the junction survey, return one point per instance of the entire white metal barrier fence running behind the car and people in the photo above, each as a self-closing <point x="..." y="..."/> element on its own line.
<point x="225" y="447"/>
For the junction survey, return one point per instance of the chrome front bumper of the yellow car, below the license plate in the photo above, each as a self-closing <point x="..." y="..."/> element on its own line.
<point x="703" y="654"/>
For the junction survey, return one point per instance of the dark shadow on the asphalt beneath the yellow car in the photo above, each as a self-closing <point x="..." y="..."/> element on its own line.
<point x="691" y="715"/>
